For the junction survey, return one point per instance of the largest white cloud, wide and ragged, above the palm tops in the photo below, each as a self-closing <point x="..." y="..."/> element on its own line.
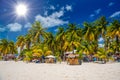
<point x="51" y="20"/>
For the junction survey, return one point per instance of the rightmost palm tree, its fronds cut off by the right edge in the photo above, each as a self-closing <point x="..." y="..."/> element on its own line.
<point x="114" y="32"/>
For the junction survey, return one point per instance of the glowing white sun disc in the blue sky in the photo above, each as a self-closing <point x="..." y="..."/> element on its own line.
<point x="21" y="9"/>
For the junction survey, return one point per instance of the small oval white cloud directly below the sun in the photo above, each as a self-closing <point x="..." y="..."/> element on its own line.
<point x="14" y="27"/>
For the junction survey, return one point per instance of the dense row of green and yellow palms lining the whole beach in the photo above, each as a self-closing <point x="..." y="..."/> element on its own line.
<point x="85" y="39"/>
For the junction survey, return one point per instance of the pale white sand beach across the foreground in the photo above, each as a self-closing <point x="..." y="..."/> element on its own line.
<point x="10" y="70"/>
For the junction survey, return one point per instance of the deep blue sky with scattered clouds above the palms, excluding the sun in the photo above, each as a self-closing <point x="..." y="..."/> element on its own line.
<point x="52" y="13"/>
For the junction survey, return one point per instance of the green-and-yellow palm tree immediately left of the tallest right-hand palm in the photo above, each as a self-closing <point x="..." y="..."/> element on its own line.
<point x="90" y="34"/>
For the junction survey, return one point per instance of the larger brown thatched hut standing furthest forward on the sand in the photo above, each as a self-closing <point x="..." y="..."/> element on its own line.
<point x="73" y="59"/>
